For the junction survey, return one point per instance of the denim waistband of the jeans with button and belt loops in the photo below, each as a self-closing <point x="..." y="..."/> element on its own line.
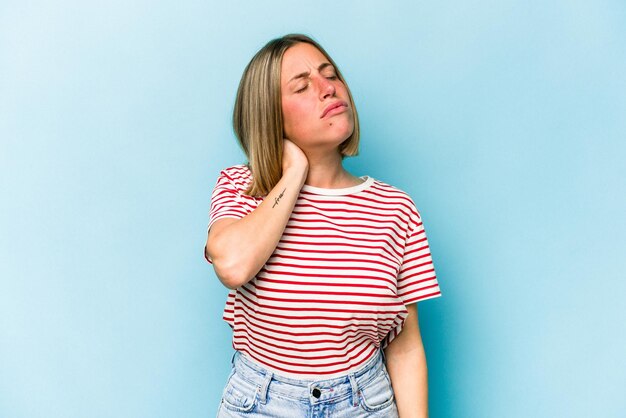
<point x="313" y="391"/>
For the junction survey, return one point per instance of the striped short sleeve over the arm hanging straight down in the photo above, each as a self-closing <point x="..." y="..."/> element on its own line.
<point x="417" y="279"/>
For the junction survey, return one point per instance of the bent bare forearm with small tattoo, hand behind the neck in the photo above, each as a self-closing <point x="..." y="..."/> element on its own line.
<point x="240" y="247"/>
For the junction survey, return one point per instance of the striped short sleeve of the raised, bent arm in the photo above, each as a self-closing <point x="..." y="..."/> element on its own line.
<point x="226" y="202"/>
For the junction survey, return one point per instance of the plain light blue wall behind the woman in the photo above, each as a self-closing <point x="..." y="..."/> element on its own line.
<point x="505" y="121"/>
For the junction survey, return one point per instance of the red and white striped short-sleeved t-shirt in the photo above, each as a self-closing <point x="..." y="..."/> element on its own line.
<point x="335" y="288"/>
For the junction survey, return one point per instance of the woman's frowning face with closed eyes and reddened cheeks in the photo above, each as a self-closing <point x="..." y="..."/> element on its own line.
<point x="316" y="107"/>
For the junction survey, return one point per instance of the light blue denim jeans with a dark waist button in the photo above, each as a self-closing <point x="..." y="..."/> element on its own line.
<point x="253" y="391"/>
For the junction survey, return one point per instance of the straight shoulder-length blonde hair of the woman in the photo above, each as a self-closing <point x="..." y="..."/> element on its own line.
<point x="258" y="119"/>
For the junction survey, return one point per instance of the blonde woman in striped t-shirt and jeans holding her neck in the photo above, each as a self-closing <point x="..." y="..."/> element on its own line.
<point x="324" y="268"/>
